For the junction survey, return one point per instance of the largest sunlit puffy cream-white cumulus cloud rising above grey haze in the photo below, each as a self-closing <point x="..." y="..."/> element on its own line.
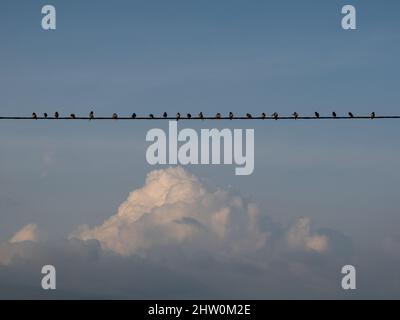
<point x="174" y="207"/>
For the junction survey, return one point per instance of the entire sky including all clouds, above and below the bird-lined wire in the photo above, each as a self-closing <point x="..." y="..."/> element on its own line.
<point x="81" y="195"/>
